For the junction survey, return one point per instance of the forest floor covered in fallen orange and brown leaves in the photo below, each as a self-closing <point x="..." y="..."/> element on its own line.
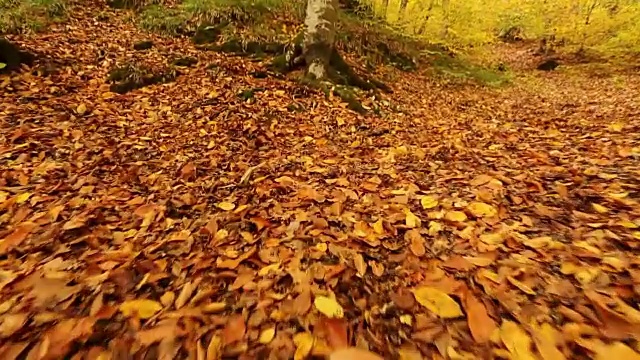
<point x="182" y="219"/>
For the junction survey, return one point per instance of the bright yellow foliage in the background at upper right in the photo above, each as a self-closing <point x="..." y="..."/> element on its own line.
<point x="611" y="26"/>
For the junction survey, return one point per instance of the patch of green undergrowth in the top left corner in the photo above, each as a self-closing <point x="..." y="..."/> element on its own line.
<point x="20" y="16"/>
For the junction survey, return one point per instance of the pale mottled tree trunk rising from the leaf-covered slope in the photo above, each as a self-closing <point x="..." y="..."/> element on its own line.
<point x="319" y="36"/>
